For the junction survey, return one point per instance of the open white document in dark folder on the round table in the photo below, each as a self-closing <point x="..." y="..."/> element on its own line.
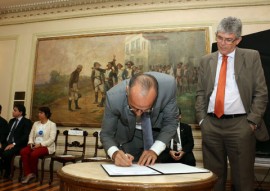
<point x="157" y="169"/>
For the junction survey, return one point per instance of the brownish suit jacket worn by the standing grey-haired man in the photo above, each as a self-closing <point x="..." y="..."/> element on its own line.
<point x="250" y="80"/>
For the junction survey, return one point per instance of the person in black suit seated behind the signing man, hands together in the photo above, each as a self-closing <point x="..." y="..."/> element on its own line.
<point x="180" y="150"/>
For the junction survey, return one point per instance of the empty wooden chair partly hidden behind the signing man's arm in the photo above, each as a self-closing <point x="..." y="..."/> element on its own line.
<point x="98" y="147"/>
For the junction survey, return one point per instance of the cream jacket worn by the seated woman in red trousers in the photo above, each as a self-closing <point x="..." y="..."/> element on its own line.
<point x="48" y="137"/>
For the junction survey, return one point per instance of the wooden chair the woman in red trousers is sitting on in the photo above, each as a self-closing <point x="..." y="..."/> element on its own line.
<point x="42" y="158"/>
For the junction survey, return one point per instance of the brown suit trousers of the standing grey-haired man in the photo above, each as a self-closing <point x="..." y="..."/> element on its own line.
<point x="229" y="139"/>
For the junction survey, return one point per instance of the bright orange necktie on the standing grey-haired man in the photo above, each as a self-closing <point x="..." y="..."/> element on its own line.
<point x="219" y="104"/>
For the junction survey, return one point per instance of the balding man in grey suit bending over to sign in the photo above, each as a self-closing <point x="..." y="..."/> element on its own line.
<point x="150" y="96"/>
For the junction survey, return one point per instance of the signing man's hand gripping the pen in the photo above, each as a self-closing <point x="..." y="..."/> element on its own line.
<point x="122" y="159"/>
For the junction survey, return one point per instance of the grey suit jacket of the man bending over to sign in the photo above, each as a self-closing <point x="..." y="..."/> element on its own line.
<point x="118" y="125"/>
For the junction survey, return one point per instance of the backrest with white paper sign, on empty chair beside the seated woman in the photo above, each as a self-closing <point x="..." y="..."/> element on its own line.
<point x="75" y="146"/>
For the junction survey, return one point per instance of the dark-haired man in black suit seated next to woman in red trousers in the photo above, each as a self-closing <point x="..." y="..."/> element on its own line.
<point x="17" y="133"/>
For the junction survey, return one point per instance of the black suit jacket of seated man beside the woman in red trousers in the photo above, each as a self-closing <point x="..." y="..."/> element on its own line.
<point x="21" y="132"/>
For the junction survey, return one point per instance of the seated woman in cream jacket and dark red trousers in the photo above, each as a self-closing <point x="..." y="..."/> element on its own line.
<point x="40" y="143"/>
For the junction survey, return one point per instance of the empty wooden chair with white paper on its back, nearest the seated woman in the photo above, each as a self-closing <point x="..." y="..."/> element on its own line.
<point x="74" y="150"/>
